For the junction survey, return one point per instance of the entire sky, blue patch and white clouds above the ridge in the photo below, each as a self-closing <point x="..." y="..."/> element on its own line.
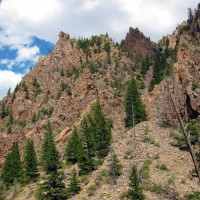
<point x="29" y="28"/>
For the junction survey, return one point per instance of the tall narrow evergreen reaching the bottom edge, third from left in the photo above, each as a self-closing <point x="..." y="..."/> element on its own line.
<point x="53" y="187"/>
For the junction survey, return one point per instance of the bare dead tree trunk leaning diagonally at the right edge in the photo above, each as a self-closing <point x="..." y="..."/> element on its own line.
<point x="186" y="135"/>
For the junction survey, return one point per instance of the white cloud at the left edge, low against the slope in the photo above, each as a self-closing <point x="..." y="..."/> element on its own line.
<point x="8" y="79"/>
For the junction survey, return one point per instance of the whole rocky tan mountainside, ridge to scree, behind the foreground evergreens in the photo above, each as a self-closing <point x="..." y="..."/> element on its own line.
<point x="62" y="88"/>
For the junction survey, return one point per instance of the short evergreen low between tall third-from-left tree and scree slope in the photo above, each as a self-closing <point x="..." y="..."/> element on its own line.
<point x="74" y="186"/>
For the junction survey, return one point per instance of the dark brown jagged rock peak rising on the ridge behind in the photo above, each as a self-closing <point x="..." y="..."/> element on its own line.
<point x="136" y="43"/>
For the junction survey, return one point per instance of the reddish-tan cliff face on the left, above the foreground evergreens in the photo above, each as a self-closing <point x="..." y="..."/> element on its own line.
<point x="68" y="96"/>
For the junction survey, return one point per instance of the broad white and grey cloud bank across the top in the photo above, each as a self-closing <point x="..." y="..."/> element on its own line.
<point x="45" y="18"/>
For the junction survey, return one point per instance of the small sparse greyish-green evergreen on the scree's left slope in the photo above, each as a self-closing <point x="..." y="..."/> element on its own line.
<point x="115" y="168"/>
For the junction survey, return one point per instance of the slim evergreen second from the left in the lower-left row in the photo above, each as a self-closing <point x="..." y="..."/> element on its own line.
<point x="30" y="161"/>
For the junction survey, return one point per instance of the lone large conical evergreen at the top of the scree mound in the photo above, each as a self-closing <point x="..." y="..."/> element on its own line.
<point x="134" y="108"/>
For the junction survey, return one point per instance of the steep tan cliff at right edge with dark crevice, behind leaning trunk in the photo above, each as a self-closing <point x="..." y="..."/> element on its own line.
<point x="185" y="81"/>
